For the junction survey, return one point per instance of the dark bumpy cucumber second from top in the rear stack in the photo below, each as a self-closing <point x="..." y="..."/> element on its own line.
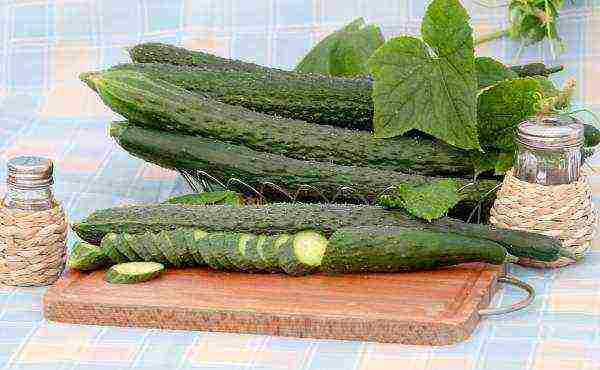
<point x="313" y="98"/>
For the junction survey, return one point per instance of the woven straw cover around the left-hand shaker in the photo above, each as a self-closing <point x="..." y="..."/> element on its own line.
<point x="32" y="246"/>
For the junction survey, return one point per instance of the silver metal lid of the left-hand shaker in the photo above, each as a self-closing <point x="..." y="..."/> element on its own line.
<point x="30" y="172"/>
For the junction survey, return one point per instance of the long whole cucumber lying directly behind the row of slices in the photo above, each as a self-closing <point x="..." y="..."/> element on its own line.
<point x="294" y="217"/>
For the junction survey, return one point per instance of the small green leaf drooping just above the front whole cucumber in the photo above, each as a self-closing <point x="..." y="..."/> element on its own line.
<point x="430" y="201"/>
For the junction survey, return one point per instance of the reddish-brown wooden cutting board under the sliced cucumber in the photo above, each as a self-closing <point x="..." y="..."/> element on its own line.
<point x="430" y="308"/>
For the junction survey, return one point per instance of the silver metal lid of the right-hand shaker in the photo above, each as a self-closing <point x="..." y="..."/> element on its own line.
<point x="555" y="132"/>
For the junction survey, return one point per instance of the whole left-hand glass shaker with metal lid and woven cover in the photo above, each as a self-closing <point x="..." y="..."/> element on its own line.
<point x="33" y="225"/>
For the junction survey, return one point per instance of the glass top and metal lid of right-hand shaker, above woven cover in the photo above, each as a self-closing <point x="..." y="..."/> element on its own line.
<point x="549" y="150"/>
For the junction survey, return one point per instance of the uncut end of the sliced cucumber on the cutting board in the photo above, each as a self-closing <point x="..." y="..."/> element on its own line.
<point x="376" y="249"/>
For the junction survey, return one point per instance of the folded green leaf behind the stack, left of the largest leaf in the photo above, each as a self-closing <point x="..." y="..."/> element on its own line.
<point x="345" y="52"/>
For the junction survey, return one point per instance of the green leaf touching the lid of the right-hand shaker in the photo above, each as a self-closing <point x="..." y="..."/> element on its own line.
<point x="503" y="107"/>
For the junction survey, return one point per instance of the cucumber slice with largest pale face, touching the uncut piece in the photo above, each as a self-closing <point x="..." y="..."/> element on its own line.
<point x="303" y="253"/>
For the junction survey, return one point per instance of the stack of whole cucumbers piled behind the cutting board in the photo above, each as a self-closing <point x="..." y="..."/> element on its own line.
<point x="190" y="110"/>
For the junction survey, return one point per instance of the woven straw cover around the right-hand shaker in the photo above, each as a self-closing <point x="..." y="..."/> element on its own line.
<point x="564" y="211"/>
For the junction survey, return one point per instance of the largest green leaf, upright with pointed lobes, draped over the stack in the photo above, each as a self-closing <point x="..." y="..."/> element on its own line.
<point x="429" y="85"/>
